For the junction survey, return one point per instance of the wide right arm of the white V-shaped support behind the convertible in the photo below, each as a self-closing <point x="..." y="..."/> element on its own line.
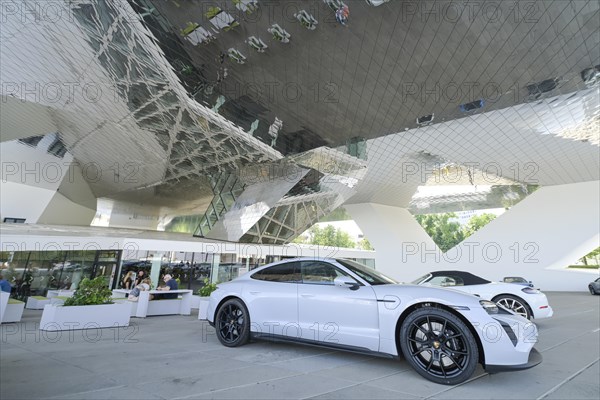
<point x="537" y="239"/>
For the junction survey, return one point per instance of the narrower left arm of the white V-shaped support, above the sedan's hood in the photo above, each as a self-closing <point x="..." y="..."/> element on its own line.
<point x="401" y="244"/>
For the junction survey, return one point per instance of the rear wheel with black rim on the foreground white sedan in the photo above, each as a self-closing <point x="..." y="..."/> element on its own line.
<point x="232" y="323"/>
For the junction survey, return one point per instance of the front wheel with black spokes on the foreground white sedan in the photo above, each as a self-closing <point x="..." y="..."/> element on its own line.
<point x="439" y="346"/>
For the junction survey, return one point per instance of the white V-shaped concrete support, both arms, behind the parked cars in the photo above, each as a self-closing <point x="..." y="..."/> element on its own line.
<point x="537" y="239"/>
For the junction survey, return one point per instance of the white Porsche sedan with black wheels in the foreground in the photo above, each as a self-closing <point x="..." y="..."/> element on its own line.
<point x="338" y="303"/>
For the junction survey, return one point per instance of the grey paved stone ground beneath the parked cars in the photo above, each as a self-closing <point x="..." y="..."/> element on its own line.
<point x="178" y="357"/>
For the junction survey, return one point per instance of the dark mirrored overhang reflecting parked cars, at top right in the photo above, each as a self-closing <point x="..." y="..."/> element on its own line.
<point x="390" y="65"/>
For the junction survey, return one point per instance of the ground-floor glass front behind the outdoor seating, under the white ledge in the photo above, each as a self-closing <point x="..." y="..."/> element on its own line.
<point x="33" y="273"/>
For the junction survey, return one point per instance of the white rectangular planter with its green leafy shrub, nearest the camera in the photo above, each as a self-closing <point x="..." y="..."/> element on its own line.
<point x="90" y="307"/>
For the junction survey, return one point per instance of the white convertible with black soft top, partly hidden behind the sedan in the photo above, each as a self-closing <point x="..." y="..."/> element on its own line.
<point x="525" y="301"/>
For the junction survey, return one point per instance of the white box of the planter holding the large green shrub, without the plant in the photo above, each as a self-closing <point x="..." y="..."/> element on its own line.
<point x="60" y="318"/>
